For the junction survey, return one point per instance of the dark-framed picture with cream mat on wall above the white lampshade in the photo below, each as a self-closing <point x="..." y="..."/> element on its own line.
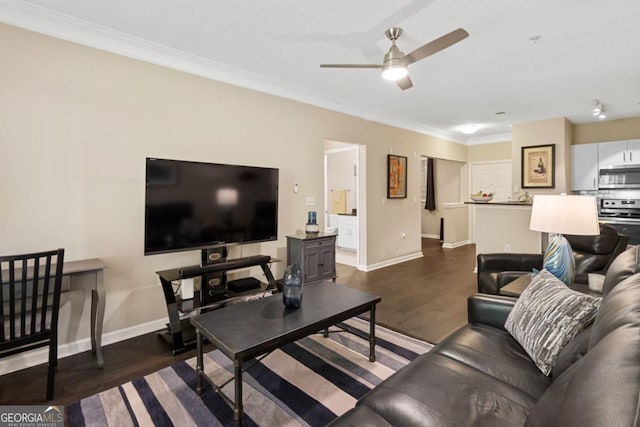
<point x="539" y="166"/>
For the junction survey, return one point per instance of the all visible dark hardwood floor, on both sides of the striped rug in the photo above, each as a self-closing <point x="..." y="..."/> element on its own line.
<point x="425" y="298"/>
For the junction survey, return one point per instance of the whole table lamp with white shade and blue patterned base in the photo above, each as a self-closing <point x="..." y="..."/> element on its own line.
<point x="562" y="214"/>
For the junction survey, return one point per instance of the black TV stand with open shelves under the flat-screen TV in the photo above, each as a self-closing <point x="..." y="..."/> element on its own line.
<point x="178" y="332"/>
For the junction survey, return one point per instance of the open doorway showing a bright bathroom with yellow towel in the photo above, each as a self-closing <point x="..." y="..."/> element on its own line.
<point x="343" y="196"/>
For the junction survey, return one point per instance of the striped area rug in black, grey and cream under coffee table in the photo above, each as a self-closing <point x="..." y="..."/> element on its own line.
<point x="307" y="383"/>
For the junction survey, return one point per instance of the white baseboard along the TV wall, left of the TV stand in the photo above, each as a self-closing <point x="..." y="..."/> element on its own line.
<point x="40" y="356"/>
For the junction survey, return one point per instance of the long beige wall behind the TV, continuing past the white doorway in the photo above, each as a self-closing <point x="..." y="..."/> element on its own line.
<point x="76" y="125"/>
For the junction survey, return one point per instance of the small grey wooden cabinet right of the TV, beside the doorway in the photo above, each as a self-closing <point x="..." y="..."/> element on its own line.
<point x="316" y="255"/>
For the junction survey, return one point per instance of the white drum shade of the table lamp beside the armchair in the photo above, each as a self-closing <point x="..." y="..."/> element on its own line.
<point x="565" y="214"/>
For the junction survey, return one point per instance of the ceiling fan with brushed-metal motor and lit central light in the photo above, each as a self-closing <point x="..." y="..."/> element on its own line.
<point x="394" y="66"/>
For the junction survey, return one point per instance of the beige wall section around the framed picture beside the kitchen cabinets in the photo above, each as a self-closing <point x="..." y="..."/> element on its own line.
<point x="556" y="131"/>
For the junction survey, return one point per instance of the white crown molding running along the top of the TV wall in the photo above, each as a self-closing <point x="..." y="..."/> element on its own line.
<point x="51" y="23"/>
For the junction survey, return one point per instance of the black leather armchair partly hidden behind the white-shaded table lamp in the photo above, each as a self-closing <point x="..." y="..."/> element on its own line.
<point x="593" y="254"/>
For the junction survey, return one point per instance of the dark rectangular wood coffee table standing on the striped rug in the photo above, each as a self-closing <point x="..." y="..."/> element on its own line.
<point x="254" y="328"/>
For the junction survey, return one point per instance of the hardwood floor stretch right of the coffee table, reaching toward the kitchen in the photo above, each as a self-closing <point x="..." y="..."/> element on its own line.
<point x="425" y="298"/>
